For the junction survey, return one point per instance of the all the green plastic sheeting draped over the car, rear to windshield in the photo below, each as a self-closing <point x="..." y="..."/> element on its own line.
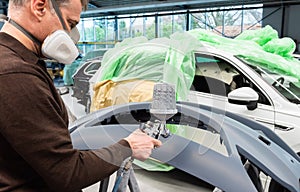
<point x="159" y="59"/>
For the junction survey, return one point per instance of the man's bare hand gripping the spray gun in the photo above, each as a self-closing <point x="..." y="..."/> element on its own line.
<point x="141" y="144"/>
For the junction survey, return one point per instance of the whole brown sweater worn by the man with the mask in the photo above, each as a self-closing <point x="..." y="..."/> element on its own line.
<point x="36" y="152"/>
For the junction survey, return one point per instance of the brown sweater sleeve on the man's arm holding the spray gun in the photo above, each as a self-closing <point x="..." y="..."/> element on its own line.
<point x="32" y="123"/>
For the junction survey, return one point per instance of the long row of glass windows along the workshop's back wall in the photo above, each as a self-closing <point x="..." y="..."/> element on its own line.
<point x="104" y="32"/>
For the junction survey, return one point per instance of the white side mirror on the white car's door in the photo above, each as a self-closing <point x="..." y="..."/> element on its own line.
<point x="244" y="96"/>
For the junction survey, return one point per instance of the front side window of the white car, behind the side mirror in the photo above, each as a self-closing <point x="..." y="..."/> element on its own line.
<point x="216" y="76"/>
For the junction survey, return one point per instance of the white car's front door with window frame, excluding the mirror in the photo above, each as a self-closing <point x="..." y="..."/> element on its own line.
<point x="216" y="76"/>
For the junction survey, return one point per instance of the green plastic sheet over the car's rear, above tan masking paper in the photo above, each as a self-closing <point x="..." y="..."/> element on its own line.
<point x="156" y="60"/>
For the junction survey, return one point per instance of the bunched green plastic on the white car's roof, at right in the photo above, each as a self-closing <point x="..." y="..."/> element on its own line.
<point x="260" y="47"/>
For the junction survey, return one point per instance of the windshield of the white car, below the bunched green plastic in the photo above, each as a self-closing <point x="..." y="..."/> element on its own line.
<point x="287" y="85"/>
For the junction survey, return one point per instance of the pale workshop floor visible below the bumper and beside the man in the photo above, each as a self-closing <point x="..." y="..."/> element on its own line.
<point x="148" y="181"/>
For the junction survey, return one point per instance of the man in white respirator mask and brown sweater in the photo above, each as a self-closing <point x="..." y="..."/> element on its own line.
<point x="36" y="152"/>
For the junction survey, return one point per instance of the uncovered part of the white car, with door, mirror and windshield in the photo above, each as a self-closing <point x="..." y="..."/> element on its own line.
<point x="226" y="81"/>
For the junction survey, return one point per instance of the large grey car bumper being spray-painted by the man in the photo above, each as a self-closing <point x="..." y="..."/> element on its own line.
<point x="224" y="149"/>
